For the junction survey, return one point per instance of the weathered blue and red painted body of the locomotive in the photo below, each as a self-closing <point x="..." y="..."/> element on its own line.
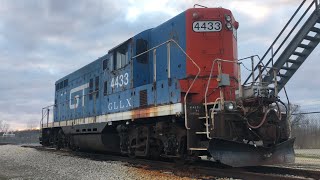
<point x="85" y="96"/>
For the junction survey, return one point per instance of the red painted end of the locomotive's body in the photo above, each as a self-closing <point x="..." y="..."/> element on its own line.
<point x="205" y="47"/>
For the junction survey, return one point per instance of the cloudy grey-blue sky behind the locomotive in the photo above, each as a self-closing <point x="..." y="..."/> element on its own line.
<point x="42" y="41"/>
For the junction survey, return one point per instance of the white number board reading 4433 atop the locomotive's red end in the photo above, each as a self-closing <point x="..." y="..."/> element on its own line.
<point x="206" y="26"/>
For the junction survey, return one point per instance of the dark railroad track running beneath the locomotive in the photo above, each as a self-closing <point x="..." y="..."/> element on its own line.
<point x="201" y="169"/>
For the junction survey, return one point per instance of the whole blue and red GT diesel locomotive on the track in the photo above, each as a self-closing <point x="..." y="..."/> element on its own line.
<point x="173" y="91"/>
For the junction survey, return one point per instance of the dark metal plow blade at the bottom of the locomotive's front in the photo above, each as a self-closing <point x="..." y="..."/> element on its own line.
<point x="238" y="154"/>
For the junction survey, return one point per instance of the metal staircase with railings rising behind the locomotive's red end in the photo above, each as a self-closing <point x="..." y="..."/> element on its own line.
<point x="288" y="51"/>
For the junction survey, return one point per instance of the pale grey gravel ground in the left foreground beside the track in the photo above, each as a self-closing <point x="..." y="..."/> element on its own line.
<point x="17" y="162"/>
